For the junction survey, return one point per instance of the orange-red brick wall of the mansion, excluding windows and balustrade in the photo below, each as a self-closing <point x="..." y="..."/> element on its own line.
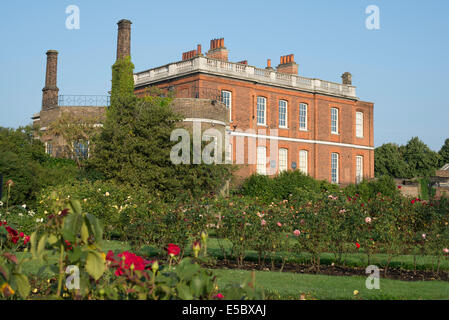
<point x="244" y="97"/>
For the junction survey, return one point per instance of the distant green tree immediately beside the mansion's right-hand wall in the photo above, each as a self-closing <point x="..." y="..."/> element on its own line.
<point x="388" y="161"/>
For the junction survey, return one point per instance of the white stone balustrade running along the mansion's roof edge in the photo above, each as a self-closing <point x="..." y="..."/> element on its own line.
<point x="242" y="71"/>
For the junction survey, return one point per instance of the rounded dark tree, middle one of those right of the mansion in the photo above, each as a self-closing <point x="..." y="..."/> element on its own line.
<point x="422" y="162"/>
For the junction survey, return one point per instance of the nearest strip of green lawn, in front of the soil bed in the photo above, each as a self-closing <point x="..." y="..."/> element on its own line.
<point x="290" y="286"/>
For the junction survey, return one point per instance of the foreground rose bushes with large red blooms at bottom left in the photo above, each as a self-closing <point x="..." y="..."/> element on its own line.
<point x="75" y="238"/>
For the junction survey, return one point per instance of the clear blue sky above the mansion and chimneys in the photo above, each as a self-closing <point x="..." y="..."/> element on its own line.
<point x="403" y="67"/>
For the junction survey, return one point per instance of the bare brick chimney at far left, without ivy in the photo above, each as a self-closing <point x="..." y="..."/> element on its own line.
<point x="50" y="91"/>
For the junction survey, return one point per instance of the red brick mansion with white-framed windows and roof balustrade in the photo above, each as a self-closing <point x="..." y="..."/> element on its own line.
<point x="320" y="127"/>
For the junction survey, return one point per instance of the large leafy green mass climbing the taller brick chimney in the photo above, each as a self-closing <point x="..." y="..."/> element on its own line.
<point x="134" y="145"/>
